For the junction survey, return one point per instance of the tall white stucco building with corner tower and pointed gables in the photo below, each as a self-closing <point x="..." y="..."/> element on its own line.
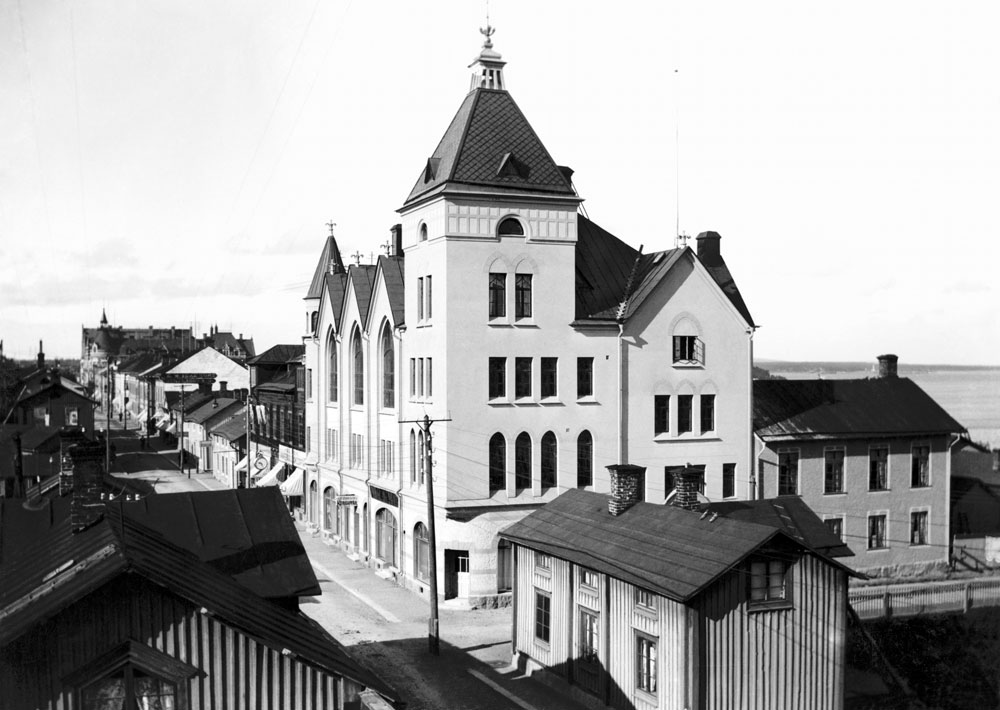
<point x="542" y="348"/>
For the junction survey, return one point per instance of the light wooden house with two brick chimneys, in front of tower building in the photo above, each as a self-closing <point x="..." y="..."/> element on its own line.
<point x="638" y="605"/>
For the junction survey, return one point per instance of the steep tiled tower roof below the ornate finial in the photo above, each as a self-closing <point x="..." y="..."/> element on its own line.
<point x="488" y="127"/>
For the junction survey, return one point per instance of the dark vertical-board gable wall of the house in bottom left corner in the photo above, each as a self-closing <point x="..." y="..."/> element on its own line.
<point x="237" y="671"/>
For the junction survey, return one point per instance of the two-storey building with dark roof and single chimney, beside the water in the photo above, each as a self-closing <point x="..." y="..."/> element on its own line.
<point x="869" y="456"/>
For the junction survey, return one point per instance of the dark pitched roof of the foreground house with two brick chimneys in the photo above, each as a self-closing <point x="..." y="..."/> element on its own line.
<point x="665" y="549"/>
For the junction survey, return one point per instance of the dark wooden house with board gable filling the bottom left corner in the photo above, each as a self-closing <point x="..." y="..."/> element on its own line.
<point x="173" y="601"/>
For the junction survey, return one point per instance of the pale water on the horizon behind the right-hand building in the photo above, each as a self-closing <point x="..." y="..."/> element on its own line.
<point x="970" y="396"/>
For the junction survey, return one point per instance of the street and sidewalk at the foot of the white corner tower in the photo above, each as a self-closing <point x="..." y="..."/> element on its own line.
<point x="473" y="669"/>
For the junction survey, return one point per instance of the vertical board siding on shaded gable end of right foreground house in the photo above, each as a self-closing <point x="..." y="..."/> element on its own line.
<point x="783" y="659"/>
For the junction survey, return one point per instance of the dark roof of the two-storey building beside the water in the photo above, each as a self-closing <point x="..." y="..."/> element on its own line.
<point x="885" y="406"/>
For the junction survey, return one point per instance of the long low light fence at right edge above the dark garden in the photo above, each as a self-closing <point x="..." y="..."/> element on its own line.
<point x="924" y="597"/>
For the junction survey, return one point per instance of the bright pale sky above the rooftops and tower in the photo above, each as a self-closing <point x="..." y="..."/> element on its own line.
<point x="176" y="161"/>
